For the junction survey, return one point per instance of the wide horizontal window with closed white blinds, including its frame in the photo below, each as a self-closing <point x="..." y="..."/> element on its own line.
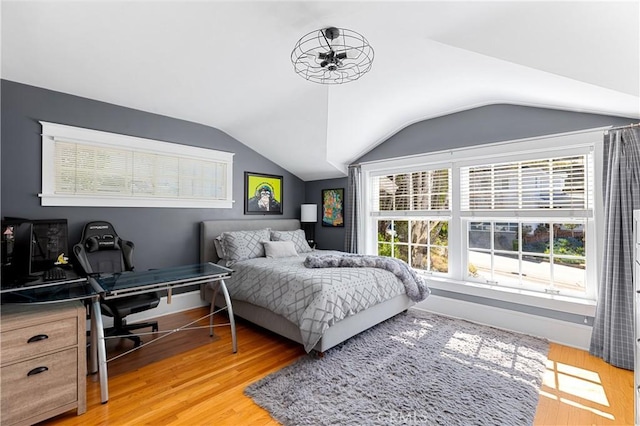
<point x="91" y="168"/>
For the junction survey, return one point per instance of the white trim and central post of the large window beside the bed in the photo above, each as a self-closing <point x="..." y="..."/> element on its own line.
<point x="555" y="144"/>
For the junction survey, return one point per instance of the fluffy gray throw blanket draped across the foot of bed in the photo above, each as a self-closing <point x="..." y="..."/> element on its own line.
<point x="417" y="290"/>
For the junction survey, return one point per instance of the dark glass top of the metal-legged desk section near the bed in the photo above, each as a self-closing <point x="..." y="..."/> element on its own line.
<point x="161" y="278"/>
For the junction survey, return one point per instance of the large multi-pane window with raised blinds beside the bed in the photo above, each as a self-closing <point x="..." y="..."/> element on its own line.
<point x="517" y="216"/>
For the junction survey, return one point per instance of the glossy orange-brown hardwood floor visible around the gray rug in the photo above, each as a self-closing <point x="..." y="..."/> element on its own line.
<point x="191" y="379"/>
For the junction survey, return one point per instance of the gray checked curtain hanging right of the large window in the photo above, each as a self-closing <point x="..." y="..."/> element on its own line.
<point x="612" y="335"/>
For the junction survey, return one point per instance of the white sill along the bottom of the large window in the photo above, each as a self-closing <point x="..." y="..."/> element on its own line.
<point x="524" y="297"/>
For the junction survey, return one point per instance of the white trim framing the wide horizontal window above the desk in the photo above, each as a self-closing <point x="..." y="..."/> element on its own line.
<point x="52" y="132"/>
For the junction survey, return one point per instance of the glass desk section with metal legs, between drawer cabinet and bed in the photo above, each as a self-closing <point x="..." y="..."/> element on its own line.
<point x="111" y="286"/>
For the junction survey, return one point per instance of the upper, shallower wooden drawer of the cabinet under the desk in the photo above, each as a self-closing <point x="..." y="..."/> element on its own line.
<point x="44" y="338"/>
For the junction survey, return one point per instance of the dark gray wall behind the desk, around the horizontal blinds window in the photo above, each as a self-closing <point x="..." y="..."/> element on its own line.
<point x="163" y="236"/>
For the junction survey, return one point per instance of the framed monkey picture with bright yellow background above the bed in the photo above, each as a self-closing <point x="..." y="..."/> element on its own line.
<point x="263" y="193"/>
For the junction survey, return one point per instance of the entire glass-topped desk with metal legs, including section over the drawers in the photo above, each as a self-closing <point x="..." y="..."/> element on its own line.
<point x="110" y="286"/>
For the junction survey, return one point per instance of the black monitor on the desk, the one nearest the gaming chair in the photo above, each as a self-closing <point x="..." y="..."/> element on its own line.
<point x="49" y="244"/>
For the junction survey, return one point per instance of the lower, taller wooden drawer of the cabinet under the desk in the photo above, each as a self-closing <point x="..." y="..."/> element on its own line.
<point x="23" y="395"/>
